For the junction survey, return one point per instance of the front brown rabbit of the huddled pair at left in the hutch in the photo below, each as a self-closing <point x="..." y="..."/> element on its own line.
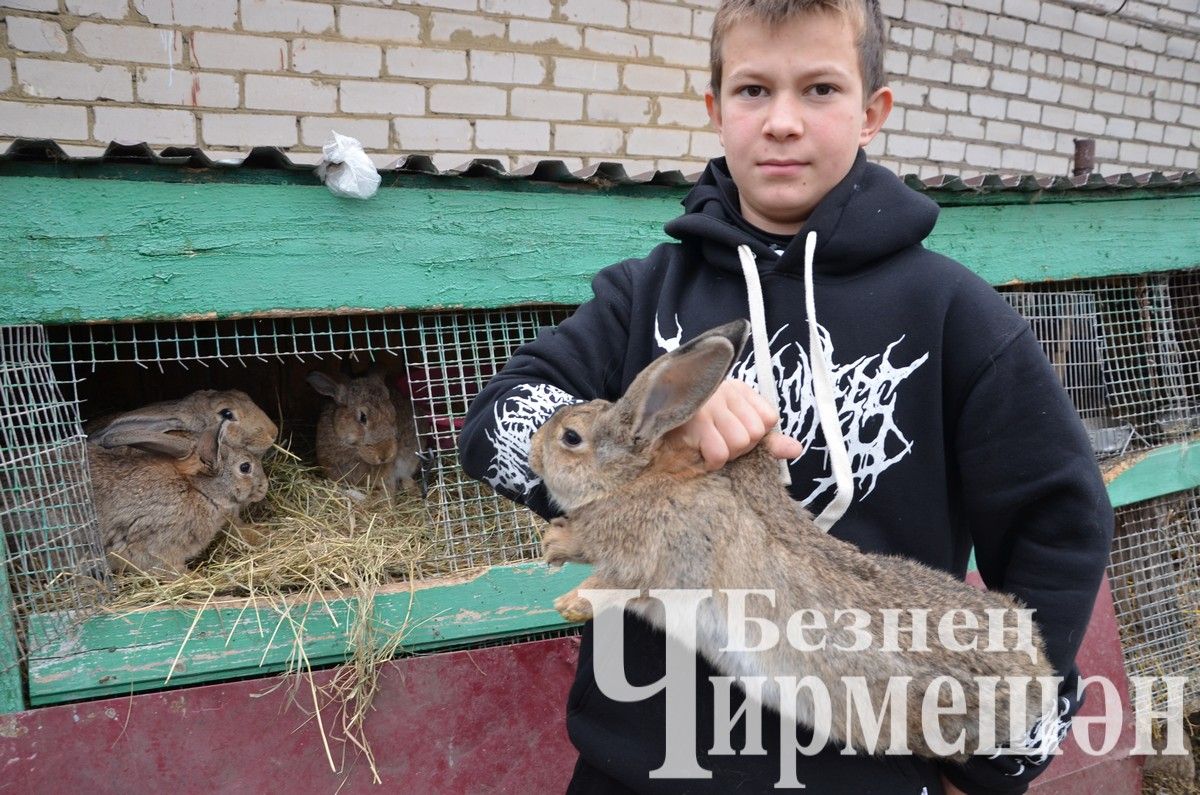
<point x="155" y="511"/>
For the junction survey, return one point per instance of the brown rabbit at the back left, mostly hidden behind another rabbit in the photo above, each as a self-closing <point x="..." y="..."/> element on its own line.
<point x="248" y="428"/>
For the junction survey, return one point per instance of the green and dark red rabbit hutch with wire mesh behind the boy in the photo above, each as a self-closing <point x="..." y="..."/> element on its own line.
<point x="141" y="277"/>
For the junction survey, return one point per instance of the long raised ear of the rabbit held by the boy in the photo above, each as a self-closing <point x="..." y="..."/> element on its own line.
<point x="673" y="388"/>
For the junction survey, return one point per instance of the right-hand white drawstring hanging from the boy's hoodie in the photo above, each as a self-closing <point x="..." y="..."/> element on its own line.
<point x="827" y="408"/>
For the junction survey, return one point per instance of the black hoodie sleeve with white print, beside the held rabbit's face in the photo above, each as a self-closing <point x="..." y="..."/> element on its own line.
<point x="580" y="360"/>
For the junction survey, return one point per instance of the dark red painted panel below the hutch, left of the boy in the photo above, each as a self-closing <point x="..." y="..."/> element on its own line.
<point x="489" y="720"/>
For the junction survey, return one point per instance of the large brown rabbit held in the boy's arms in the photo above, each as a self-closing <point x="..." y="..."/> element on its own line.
<point x="640" y="506"/>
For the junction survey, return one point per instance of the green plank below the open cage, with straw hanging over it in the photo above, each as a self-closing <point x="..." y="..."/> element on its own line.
<point x="119" y="655"/>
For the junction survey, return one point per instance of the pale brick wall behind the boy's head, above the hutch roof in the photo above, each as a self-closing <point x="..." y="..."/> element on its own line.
<point x="980" y="85"/>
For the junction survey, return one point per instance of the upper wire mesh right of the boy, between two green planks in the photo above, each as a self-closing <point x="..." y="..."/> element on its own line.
<point x="1127" y="349"/>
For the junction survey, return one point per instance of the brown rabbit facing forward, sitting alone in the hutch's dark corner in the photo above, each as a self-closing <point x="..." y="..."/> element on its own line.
<point x="367" y="437"/>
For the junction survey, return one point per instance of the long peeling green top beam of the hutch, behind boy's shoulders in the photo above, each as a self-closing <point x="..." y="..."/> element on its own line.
<point x="87" y="250"/>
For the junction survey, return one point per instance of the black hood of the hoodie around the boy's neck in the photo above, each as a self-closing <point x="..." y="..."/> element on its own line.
<point x="867" y="218"/>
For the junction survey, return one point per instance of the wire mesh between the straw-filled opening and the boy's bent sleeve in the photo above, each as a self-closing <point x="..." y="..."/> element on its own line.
<point x="451" y="360"/>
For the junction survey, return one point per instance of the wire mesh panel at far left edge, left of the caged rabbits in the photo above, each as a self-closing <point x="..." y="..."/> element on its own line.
<point x="52" y="543"/>
